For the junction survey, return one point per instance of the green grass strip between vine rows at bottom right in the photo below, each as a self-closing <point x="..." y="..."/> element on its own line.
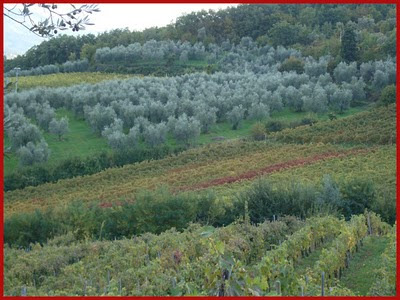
<point x="359" y="277"/>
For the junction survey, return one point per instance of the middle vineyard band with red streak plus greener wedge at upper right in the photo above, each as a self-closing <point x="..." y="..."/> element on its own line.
<point x="231" y="166"/>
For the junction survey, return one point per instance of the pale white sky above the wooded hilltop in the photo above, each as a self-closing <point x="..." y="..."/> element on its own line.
<point x="17" y="39"/>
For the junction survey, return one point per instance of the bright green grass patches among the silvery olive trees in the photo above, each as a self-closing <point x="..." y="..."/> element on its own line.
<point x="80" y="141"/>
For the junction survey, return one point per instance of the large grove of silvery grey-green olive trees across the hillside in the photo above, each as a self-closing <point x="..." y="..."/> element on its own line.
<point x="187" y="105"/>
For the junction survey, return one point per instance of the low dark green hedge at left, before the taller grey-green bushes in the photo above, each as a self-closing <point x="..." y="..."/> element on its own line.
<point x="152" y="212"/>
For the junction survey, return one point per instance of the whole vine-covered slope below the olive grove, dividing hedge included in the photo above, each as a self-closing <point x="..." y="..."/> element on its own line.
<point x="89" y="219"/>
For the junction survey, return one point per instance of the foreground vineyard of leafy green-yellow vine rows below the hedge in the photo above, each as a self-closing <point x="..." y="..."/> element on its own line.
<point x="253" y="260"/>
